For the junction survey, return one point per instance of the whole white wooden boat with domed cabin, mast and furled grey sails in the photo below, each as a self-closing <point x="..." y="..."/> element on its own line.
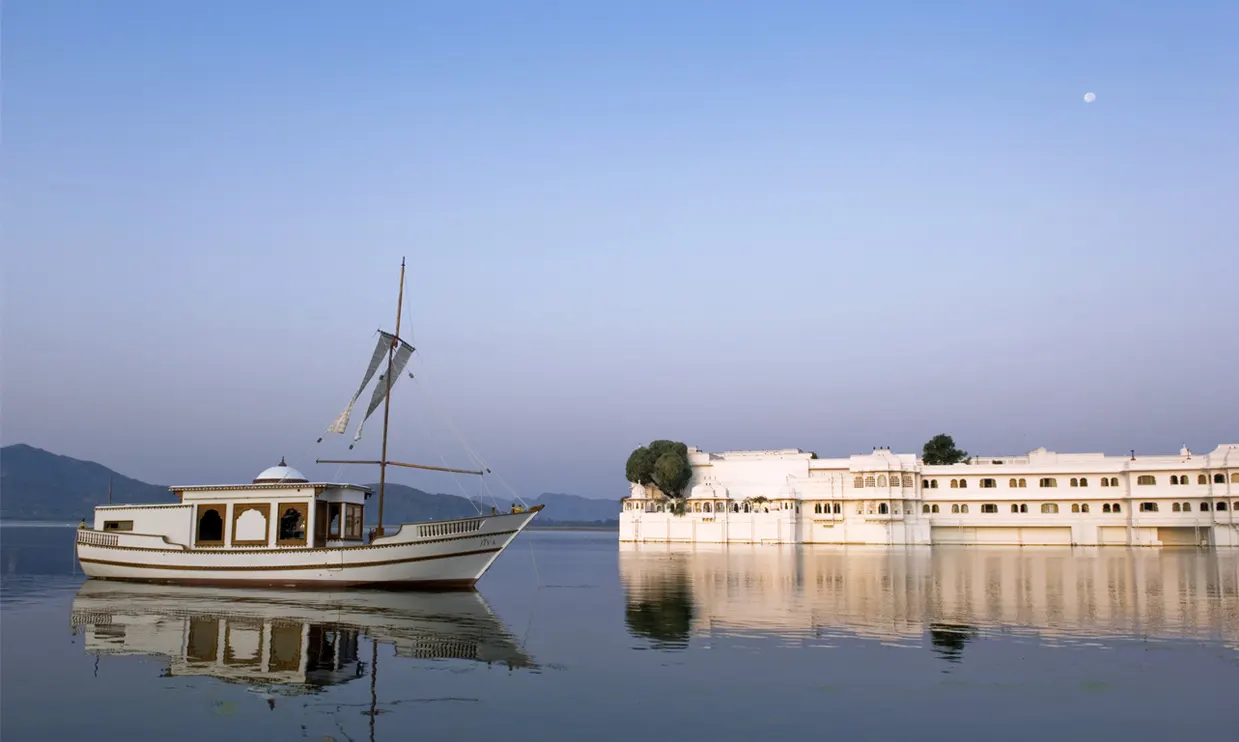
<point x="284" y="531"/>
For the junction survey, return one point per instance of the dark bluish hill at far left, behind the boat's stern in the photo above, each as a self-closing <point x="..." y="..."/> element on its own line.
<point x="38" y="485"/>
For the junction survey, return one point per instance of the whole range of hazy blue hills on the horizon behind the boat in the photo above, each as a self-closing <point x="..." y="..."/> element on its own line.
<point x="37" y="485"/>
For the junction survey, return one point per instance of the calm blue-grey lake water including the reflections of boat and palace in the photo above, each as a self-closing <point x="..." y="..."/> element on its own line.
<point x="573" y="636"/>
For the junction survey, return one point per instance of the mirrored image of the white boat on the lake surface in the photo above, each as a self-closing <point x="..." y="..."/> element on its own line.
<point x="287" y="642"/>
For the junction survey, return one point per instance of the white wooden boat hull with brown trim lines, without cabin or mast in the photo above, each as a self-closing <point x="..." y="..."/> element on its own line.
<point x="437" y="556"/>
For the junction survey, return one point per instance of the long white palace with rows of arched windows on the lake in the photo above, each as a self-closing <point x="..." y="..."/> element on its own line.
<point x="1041" y="499"/>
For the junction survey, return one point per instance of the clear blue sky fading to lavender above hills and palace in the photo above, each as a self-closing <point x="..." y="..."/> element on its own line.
<point x="735" y="225"/>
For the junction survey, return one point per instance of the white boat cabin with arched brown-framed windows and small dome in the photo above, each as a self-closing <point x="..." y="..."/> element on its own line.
<point x="281" y="508"/>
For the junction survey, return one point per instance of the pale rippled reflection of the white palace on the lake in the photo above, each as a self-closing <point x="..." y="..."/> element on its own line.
<point x="943" y="596"/>
